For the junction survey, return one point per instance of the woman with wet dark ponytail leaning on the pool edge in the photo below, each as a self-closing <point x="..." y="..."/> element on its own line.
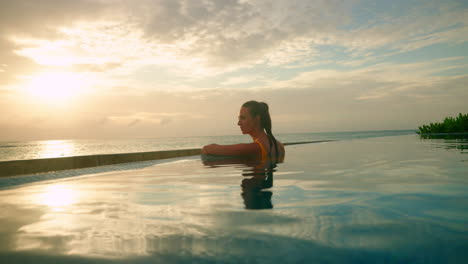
<point x="254" y="119"/>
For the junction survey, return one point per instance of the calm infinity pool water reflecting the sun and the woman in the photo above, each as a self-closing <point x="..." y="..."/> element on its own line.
<point x="382" y="200"/>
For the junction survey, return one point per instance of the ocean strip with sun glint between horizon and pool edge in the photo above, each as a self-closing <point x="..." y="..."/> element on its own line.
<point x="23" y="150"/>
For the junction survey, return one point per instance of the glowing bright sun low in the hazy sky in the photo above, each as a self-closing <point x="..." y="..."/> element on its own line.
<point x="55" y="87"/>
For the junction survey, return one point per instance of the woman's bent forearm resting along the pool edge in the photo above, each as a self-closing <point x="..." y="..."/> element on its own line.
<point x="232" y="150"/>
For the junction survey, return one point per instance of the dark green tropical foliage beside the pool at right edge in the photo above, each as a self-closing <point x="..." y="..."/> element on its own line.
<point x="457" y="124"/>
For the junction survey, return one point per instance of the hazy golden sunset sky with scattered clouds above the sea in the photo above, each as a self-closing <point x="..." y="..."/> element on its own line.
<point x="108" y="69"/>
